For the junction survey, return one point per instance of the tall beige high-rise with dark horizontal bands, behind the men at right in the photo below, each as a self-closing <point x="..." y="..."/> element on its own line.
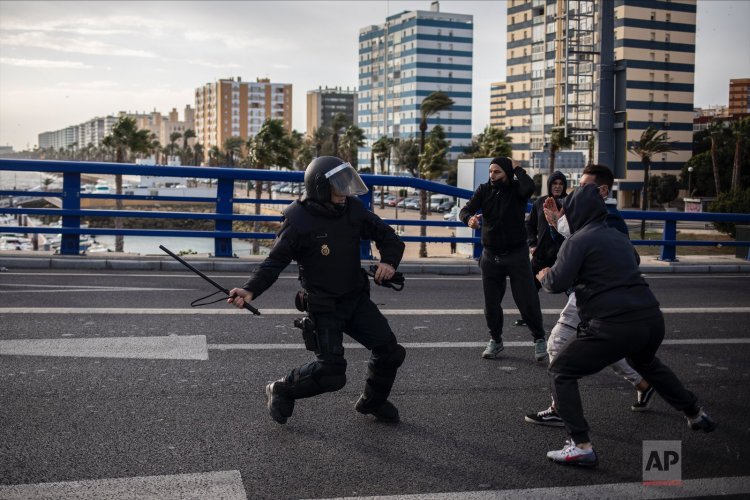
<point x="552" y="76"/>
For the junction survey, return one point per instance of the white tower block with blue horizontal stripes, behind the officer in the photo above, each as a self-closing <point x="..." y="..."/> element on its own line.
<point x="402" y="61"/>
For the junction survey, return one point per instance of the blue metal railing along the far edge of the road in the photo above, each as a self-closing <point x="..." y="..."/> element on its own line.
<point x="224" y="201"/>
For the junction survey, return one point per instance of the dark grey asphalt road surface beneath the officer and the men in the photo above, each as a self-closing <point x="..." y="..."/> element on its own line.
<point x="71" y="418"/>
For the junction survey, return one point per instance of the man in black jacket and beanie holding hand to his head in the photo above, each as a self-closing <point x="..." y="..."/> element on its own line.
<point x="503" y="202"/>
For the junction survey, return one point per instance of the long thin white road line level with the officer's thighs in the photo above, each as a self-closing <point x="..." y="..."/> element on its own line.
<point x="285" y="312"/>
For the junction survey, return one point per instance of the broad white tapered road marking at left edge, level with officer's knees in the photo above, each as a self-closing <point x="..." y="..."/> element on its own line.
<point x="188" y="347"/>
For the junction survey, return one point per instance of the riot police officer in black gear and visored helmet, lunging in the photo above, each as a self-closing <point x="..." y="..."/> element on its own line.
<point x="322" y="232"/>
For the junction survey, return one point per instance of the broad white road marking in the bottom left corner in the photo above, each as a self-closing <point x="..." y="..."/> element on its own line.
<point x="223" y="484"/>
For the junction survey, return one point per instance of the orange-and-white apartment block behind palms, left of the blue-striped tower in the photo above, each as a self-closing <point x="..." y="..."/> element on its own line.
<point x="233" y="108"/>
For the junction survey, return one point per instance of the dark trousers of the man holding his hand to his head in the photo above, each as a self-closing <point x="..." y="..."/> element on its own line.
<point x="495" y="270"/>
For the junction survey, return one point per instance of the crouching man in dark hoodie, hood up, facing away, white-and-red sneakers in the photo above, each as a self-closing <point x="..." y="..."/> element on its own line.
<point x="620" y="317"/>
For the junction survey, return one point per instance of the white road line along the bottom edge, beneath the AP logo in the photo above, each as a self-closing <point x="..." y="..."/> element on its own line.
<point x="697" y="488"/>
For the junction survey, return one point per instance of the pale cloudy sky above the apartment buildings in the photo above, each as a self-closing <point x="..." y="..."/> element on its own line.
<point x="63" y="63"/>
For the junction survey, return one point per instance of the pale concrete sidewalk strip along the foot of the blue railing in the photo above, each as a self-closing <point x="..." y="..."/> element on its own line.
<point x="14" y="261"/>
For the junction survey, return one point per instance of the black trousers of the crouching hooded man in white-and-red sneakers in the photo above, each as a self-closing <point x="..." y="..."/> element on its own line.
<point x="601" y="343"/>
